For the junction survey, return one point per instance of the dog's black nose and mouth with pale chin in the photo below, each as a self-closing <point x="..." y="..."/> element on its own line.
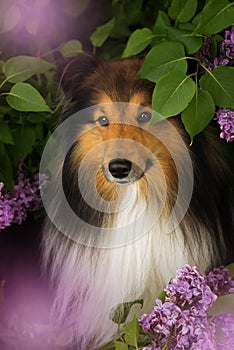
<point x="122" y="171"/>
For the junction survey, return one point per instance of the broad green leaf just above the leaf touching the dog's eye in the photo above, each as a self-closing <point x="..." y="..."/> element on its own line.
<point x="163" y="58"/>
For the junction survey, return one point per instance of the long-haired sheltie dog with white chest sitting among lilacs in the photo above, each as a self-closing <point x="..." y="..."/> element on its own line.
<point x="143" y="203"/>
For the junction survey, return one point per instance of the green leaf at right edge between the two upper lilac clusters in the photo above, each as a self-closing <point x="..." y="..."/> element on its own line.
<point x="219" y="83"/>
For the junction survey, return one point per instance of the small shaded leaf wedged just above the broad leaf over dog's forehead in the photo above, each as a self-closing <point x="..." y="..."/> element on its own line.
<point x="191" y="42"/>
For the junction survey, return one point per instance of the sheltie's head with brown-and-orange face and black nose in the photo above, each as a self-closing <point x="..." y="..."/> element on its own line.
<point x="117" y="130"/>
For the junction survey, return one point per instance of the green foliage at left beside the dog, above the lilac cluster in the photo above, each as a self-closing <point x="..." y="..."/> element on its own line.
<point x="28" y="94"/>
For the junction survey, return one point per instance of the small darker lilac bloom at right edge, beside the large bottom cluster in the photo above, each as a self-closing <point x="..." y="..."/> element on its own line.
<point x="220" y="281"/>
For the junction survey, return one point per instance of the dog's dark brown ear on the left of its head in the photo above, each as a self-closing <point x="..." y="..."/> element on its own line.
<point x="72" y="71"/>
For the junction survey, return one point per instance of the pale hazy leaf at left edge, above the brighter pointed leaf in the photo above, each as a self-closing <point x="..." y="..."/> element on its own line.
<point x="20" y="68"/>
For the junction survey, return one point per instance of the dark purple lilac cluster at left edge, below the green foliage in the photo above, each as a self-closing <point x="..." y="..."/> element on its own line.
<point x="14" y="206"/>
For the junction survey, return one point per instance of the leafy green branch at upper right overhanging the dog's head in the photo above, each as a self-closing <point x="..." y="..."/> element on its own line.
<point x="177" y="31"/>
